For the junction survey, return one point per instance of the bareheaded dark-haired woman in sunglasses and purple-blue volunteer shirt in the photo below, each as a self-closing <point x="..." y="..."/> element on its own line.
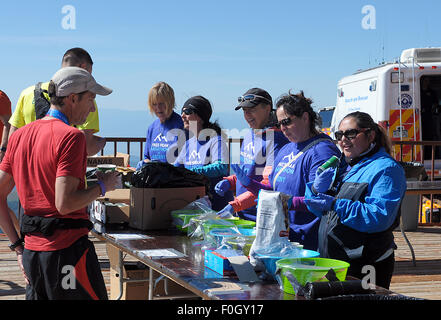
<point x="296" y="164"/>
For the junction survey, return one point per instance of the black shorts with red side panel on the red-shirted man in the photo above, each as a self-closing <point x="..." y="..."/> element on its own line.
<point x="72" y="273"/>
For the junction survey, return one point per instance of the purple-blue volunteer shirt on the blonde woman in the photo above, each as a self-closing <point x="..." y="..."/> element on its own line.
<point x="161" y="139"/>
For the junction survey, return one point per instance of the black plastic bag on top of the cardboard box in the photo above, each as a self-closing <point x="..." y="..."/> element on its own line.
<point x="157" y="174"/>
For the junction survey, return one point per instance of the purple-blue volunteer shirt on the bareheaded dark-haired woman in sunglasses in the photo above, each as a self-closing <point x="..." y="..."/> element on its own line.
<point x="293" y="179"/>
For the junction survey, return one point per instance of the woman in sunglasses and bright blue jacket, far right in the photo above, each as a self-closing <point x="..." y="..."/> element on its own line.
<point x="362" y="209"/>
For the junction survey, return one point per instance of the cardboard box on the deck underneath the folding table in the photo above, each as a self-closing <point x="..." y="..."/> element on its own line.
<point x="137" y="270"/>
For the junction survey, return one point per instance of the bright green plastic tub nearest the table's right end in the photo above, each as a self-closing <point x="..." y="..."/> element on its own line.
<point x="308" y="270"/>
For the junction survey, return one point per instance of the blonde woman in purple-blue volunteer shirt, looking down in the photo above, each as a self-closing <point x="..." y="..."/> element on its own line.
<point x="161" y="139"/>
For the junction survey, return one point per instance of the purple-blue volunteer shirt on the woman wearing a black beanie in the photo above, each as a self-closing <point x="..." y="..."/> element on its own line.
<point x="199" y="154"/>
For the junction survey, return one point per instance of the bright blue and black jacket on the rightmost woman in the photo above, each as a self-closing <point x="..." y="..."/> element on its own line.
<point x="360" y="224"/>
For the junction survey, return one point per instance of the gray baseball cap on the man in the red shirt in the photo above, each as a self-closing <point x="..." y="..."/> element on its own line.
<point x="70" y="80"/>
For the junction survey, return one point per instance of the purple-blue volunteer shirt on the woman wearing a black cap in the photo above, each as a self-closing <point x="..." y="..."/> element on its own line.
<point x="259" y="149"/>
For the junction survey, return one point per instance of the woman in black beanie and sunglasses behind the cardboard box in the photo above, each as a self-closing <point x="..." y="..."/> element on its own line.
<point x="206" y="150"/>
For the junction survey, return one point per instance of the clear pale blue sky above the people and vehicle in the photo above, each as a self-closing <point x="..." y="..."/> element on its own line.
<point x="218" y="49"/>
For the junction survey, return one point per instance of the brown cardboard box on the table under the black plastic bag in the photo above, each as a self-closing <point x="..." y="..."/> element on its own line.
<point x="150" y="208"/>
